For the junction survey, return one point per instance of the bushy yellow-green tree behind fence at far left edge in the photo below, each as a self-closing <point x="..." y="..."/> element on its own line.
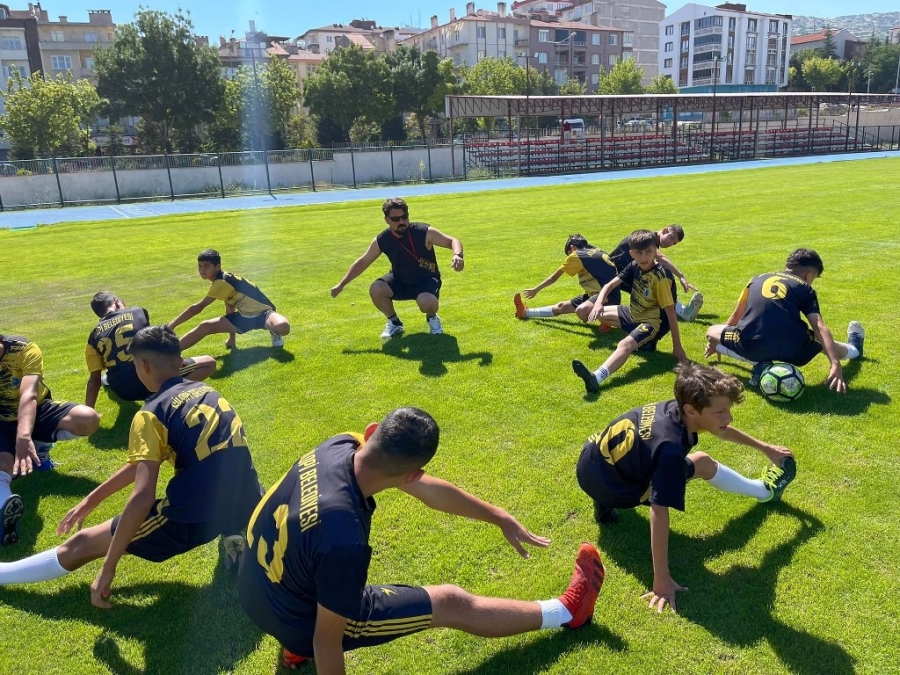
<point x="49" y="116"/>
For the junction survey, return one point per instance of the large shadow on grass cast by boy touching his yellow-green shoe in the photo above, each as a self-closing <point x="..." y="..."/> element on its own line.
<point x="735" y="606"/>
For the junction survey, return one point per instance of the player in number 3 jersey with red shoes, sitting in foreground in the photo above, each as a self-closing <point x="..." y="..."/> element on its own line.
<point x="305" y="579"/>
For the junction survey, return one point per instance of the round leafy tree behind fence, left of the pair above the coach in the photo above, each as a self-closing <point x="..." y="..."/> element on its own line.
<point x="349" y="84"/>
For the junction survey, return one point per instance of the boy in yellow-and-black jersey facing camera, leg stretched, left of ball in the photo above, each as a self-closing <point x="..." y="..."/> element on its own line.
<point x="649" y="317"/>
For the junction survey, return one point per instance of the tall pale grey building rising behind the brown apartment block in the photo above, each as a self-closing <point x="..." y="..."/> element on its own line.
<point x="638" y="20"/>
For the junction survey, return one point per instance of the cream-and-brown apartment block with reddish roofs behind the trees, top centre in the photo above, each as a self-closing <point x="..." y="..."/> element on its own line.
<point x="564" y="50"/>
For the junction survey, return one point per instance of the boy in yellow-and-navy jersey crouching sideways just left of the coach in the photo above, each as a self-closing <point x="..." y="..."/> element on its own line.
<point x="246" y="307"/>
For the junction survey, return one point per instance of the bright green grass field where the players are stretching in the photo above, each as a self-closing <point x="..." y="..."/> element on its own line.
<point x="807" y="586"/>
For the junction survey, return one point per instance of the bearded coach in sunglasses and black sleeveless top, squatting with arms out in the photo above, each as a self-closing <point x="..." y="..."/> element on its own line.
<point x="414" y="273"/>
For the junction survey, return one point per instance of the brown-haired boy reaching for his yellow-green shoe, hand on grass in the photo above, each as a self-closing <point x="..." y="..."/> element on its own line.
<point x="642" y="458"/>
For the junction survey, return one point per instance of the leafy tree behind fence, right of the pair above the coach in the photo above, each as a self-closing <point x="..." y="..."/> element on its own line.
<point x="419" y="82"/>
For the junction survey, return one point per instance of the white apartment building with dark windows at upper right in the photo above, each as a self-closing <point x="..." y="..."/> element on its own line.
<point x="726" y="45"/>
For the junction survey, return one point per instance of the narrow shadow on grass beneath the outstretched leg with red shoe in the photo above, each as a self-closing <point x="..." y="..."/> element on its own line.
<point x="538" y="655"/>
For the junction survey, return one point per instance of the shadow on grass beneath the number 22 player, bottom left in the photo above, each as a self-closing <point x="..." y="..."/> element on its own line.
<point x="183" y="629"/>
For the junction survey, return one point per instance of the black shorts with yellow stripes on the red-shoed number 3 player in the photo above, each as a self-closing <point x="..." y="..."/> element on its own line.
<point x="387" y="613"/>
